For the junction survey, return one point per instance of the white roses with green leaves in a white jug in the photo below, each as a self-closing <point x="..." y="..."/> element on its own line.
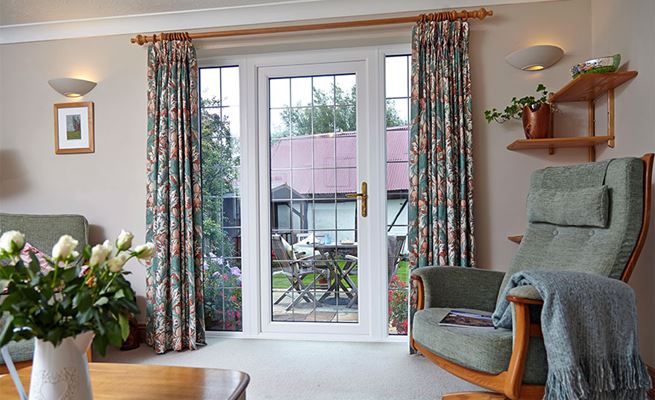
<point x="66" y="301"/>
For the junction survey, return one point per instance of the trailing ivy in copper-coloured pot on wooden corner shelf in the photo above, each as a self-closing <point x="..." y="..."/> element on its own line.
<point x="534" y="111"/>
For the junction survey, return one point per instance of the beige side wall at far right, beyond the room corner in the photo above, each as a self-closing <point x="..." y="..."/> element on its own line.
<point x="628" y="27"/>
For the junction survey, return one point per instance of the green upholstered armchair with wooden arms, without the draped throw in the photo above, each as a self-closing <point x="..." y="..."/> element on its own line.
<point x="589" y="217"/>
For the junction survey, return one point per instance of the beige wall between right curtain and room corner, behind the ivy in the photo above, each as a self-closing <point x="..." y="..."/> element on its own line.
<point x="502" y="176"/>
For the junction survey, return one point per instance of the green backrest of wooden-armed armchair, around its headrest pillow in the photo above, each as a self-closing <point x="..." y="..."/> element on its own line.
<point x="599" y="250"/>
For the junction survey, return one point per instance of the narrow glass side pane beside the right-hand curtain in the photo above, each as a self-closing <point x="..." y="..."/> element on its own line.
<point x="397" y="89"/>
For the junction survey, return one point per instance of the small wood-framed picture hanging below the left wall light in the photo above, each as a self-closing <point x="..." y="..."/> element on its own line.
<point x="74" y="128"/>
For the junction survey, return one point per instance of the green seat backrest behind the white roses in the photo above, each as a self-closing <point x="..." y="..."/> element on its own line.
<point x="43" y="231"/>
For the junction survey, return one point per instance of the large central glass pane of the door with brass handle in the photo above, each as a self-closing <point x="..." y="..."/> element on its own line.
<point x="313" y="141"/>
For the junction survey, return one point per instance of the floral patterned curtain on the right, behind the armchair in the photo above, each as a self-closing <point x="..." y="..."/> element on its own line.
<point x="441" y="146"/>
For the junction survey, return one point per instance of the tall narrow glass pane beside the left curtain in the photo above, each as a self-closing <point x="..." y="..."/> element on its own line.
<point x="219" y="113"/>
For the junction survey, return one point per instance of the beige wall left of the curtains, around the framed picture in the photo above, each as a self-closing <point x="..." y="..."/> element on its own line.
<point x="108" y="186"/>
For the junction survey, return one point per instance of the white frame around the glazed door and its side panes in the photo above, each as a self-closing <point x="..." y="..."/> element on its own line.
<point x="254" y="200"/>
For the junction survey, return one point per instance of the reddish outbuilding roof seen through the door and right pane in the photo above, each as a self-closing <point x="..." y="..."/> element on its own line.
<point x="326" y="163"/>
